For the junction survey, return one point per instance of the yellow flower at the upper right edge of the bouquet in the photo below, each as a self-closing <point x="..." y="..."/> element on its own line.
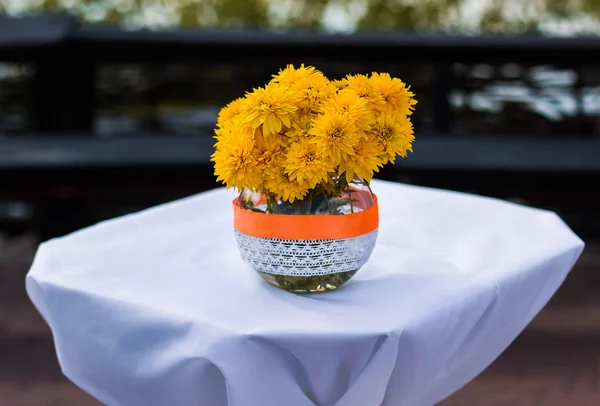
<point x="398" y="97"/>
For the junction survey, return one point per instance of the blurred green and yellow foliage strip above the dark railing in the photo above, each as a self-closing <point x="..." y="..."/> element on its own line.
<point x="562" y="17"/>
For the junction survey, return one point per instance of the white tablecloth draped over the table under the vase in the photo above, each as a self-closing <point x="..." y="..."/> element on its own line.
<point x="157" y="308"/>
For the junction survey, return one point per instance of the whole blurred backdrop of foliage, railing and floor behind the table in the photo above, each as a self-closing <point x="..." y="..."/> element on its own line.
<point x="107" y="107"/>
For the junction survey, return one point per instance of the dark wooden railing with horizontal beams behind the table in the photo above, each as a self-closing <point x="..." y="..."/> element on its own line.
<point x="61" y="167"/>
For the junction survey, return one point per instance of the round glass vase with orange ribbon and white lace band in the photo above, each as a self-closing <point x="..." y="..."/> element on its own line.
<point x="307" y="247"/>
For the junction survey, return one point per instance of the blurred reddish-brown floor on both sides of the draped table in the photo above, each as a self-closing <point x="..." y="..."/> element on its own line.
<point x="555" y="362"/>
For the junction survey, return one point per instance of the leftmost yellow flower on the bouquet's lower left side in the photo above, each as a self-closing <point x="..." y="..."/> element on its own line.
<point x="234" y="162"/>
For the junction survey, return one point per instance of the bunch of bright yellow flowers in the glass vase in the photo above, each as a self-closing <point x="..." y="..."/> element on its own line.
<point x="303" y="139"/>
